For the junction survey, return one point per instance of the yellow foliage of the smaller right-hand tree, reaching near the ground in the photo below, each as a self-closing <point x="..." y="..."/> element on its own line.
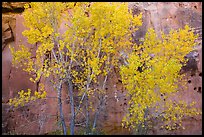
<point x="153" y="69"/>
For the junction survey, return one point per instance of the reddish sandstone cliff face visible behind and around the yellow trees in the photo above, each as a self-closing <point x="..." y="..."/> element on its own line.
<point x="41" y="117"/>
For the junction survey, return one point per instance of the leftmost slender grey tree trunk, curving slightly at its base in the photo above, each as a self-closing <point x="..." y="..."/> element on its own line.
<point x="60" y="109"/>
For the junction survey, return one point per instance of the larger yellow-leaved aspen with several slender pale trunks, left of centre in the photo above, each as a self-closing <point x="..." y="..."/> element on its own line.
<point x="95" y="35"/>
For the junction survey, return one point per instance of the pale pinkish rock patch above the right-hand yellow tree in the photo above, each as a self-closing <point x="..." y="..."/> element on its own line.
<point x="163" y="16"/>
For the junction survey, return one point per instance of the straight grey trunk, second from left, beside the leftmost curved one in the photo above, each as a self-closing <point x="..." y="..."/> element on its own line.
<point x="71" y="95"/>
